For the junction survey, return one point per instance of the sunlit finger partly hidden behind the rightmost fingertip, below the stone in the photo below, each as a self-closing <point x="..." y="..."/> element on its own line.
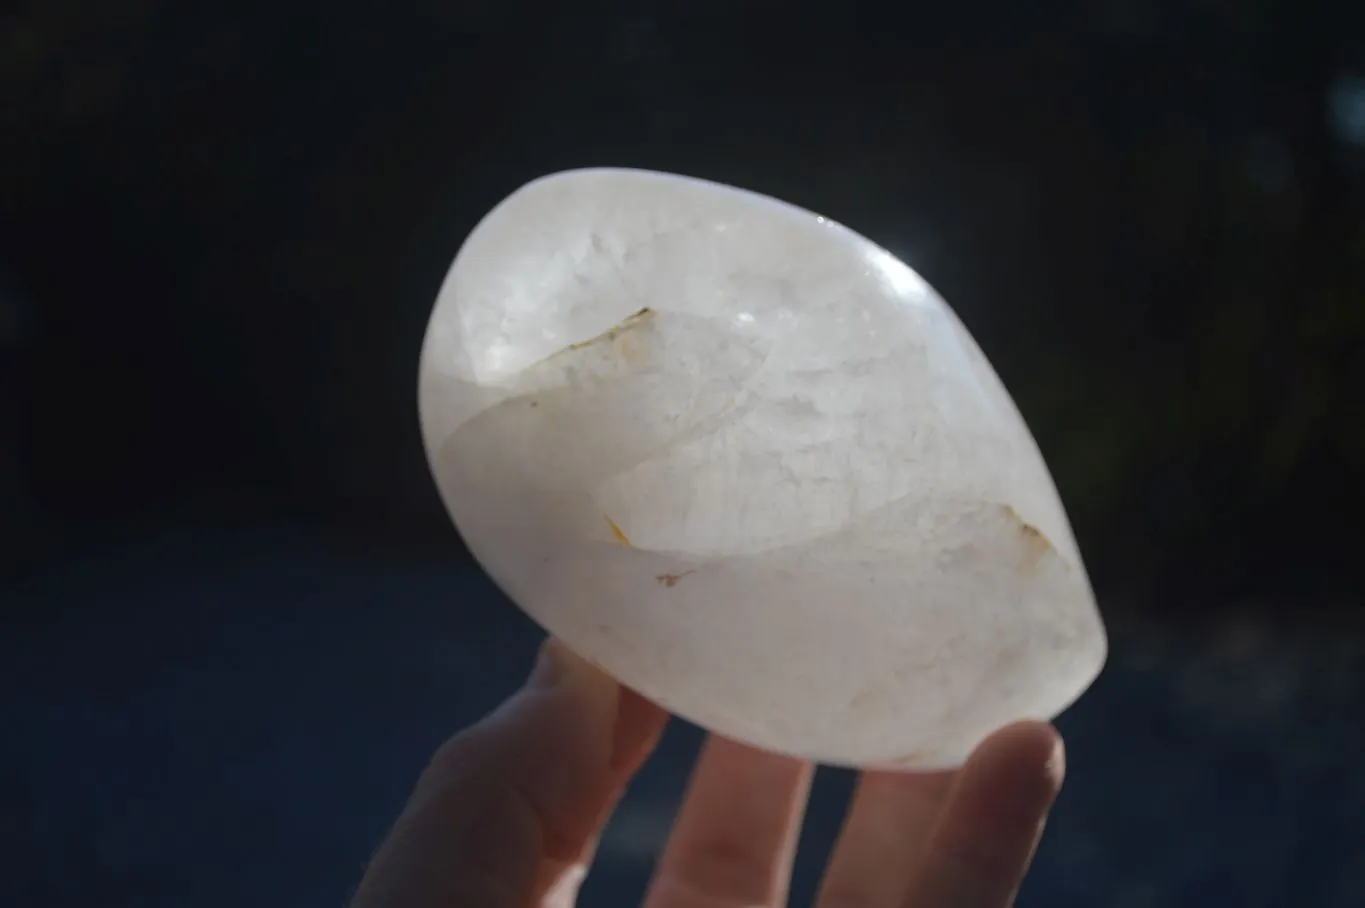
<point x="888" y="827"/>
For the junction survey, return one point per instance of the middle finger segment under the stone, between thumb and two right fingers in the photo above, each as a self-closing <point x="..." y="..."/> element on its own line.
<point x="736" y="835"/>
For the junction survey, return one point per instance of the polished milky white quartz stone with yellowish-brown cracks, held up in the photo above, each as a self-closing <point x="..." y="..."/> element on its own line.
<point x="753" y="466"/>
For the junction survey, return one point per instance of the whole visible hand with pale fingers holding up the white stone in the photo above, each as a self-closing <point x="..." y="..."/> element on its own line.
<point x="508" y="814"/>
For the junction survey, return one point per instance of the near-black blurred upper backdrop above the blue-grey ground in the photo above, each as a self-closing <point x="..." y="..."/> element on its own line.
<point x="1151" y="215"/>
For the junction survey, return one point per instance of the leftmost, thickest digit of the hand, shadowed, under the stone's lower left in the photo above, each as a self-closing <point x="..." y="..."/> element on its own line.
<point x="507" y="808"/>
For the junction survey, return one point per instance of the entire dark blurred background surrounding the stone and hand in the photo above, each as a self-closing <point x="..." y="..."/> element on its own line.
<point x="235" y="619"/>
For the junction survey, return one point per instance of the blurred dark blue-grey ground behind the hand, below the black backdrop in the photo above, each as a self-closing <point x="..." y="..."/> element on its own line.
<point x="226" y="719"/>
